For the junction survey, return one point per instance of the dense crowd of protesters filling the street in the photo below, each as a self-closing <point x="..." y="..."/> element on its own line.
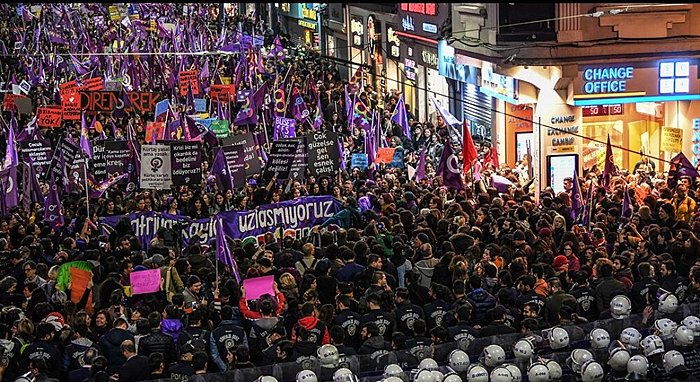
<point x="405" y="265"/>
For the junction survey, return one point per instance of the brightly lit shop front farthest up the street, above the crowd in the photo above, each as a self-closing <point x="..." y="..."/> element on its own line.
<point x="300" y="20"/>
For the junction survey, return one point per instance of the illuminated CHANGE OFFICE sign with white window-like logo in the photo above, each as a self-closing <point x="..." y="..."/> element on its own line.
<point x="653" y="81"/>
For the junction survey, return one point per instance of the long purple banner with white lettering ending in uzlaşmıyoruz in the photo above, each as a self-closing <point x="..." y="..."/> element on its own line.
<point x="297" y="217"/>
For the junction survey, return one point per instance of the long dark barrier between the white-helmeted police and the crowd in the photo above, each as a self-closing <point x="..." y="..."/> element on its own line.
<point x="368" y="370"/>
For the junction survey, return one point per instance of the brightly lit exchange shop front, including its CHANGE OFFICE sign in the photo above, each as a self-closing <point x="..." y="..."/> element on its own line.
<point x="650" y="107"/>
